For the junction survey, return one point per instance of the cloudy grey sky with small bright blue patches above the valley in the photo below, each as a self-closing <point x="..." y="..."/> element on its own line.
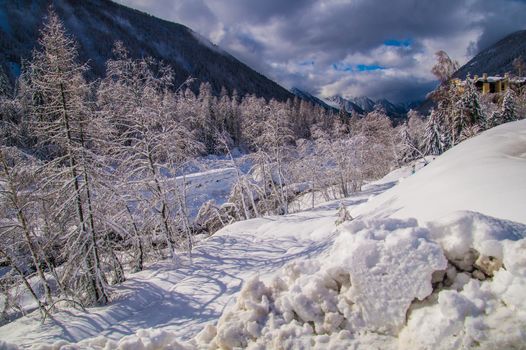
<point x="351" y="48"/>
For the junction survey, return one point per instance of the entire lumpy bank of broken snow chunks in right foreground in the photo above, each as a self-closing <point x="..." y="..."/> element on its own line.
<point x="380" y="273"/>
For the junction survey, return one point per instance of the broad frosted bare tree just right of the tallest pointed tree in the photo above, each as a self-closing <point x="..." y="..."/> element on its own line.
<point x="152" y="144"/>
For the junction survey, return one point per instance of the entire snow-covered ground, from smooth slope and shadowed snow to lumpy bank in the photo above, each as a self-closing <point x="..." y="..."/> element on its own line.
<point x="437" y="261"/>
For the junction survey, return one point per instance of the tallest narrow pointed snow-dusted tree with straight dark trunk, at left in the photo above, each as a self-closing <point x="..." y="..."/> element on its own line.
<point x="61" y="119"/>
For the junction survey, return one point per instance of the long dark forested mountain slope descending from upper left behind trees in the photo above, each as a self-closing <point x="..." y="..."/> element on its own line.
<point x="97" y="24"/>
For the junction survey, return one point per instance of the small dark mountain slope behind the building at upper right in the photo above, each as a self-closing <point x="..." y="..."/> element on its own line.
<point x="496" y="59"/>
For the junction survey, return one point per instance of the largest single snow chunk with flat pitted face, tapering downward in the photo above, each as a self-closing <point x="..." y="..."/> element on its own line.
<point x="389" y="269"/>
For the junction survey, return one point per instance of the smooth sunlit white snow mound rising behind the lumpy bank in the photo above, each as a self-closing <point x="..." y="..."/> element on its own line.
<point x="485" y="174"/>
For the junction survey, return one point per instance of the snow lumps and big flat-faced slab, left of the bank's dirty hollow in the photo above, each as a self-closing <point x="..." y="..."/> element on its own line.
<point x="366" y="283"/>
